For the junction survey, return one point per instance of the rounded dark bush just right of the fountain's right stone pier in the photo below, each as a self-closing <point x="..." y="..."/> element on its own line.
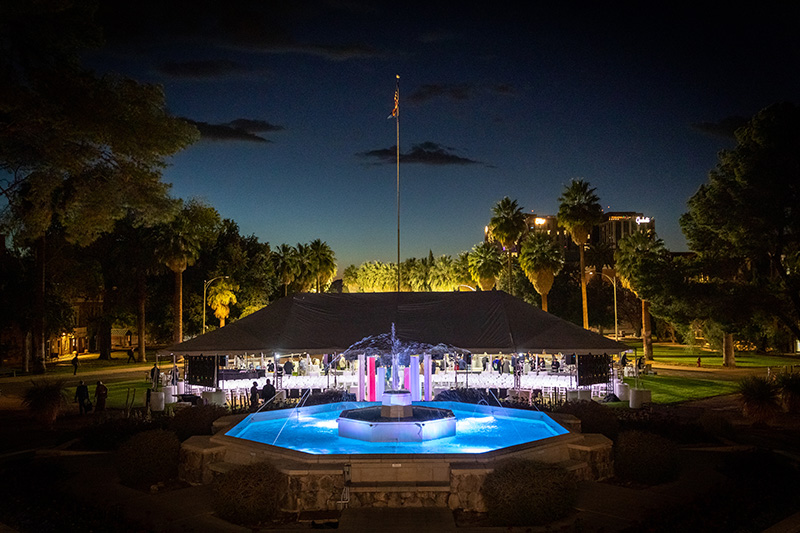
<point x="645" y="458"/>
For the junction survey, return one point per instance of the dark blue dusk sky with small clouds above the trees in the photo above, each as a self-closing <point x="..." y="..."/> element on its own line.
<point x="496" y="99"/>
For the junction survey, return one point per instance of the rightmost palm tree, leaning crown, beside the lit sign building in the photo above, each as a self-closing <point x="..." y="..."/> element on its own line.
<point x="631" y="252"/>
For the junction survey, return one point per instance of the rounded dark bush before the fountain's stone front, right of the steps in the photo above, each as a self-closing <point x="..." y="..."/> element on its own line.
<point x="527" y="493"/>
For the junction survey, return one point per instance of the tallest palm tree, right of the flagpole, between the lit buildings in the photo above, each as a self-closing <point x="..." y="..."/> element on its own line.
<point x="578" y="212"/>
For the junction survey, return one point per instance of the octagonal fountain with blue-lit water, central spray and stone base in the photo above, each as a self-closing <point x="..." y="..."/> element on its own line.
<point x="396" y="452"/>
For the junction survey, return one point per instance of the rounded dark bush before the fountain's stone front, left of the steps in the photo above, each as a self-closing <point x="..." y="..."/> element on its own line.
<point x="250" y="494"/>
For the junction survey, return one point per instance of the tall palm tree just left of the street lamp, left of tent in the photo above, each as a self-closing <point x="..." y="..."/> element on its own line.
<point x="180" y="243"/>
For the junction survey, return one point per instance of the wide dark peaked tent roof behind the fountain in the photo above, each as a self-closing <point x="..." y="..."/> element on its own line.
<point x="491" y="322"/>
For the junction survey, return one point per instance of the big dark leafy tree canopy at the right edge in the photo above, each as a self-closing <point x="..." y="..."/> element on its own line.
<point x="744" y="222"/>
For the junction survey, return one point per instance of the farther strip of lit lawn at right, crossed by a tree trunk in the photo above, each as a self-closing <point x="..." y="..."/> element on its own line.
<point x="683" y="355"/>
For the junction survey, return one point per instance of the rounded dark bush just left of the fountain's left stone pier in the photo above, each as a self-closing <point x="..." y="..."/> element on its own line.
<point x="148" y="457"/>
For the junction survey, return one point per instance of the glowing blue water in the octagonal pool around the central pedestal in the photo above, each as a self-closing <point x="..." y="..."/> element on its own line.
<point x="479" y="429"/>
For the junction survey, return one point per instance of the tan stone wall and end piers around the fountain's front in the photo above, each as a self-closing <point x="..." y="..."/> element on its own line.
<point x="321" y="486"/>
